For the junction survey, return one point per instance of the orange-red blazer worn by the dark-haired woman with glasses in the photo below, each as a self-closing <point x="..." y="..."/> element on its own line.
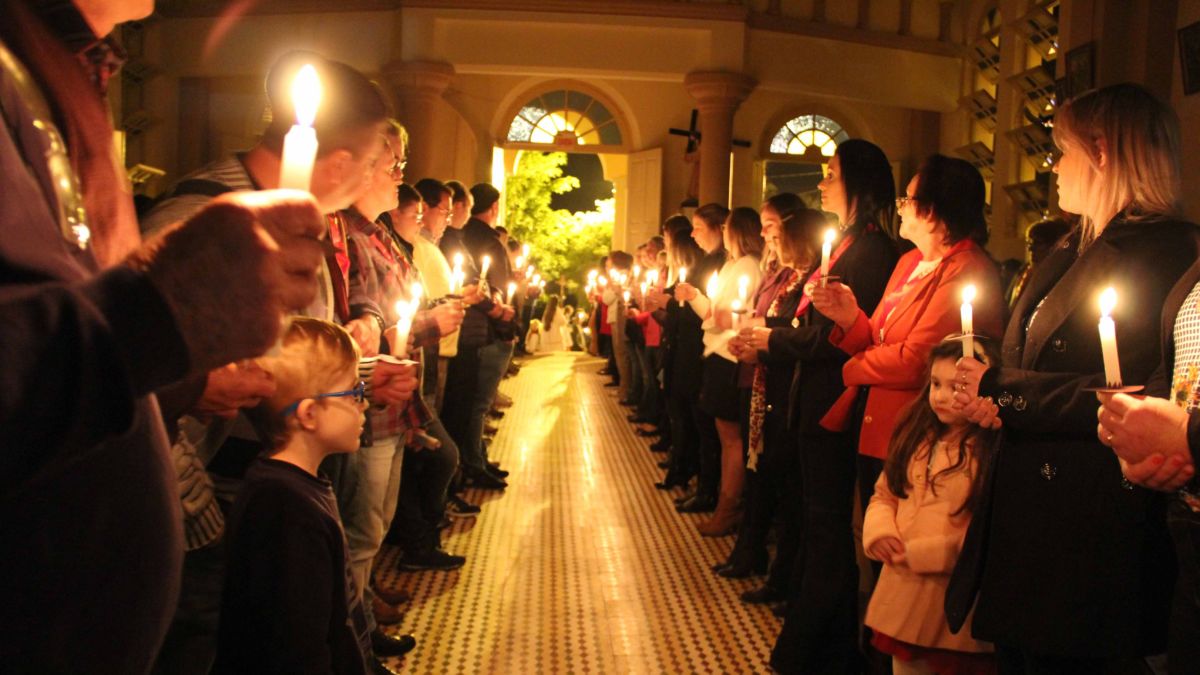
<point x="895" y="367"/>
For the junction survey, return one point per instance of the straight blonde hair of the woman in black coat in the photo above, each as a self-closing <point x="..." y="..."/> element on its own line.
<point x="1141" y="138"/>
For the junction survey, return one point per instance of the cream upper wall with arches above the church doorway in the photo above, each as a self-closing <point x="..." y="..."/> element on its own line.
<point x="501" y="58"/>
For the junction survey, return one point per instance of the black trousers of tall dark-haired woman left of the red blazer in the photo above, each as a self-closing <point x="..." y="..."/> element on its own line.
<point x="821" y="630"/>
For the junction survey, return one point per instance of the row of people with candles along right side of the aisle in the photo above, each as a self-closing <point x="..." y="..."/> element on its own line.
<point x="781" y="378"/>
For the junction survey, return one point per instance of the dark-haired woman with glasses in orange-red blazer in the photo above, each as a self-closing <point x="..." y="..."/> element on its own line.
<point x="943" y="216"/>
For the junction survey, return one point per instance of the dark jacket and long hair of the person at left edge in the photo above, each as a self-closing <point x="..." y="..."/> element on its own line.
<point x="92" y="524"/>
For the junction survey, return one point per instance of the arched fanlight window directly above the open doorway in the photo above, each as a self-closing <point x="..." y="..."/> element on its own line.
<point x="565" y="118"/>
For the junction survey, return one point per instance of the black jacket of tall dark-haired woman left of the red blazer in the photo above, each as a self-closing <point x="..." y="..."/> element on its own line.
<point x="817" y="384"/>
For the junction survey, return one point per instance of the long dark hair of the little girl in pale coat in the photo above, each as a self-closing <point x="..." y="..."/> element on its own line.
<point x="919" y="427"/>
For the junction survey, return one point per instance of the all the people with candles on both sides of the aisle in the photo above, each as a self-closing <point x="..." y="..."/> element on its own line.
<point x="218" y="410"/>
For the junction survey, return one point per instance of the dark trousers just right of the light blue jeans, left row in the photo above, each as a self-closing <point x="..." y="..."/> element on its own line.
<point x="424" y="480"/>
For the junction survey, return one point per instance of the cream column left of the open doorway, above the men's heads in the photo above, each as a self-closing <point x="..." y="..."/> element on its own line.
<point x="418" y="88"/>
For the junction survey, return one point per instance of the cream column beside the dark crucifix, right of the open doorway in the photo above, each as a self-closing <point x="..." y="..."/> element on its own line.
<point x="718" y="95"/>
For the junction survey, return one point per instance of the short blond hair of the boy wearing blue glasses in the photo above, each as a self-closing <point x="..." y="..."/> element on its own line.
<point x="315" y="357"/>
